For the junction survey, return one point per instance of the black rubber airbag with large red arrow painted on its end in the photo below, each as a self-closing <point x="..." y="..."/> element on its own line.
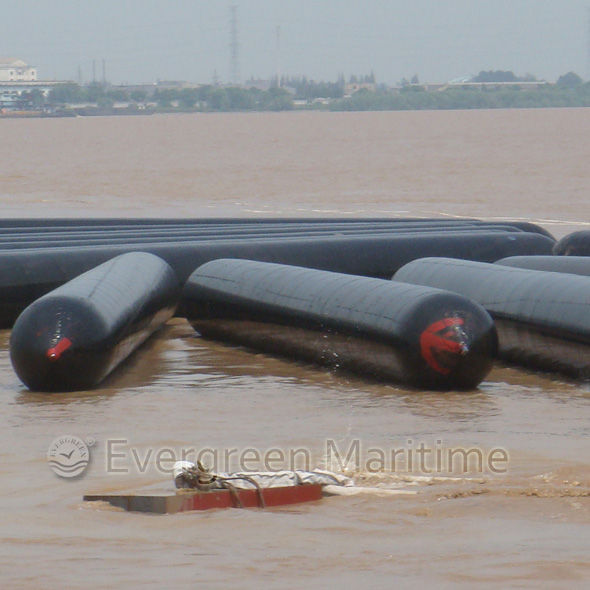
<point x="414" y="335"/>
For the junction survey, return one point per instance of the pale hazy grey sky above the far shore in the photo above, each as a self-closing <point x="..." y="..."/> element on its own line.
<point x="142" y="41"/>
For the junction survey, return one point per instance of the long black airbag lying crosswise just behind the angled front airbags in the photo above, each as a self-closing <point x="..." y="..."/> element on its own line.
<point x="28" y="274"/>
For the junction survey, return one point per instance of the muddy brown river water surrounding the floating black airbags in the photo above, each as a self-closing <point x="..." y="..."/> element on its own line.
<point x="522" y="520"/>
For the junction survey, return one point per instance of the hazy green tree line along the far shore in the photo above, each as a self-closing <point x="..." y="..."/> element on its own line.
<point x="569" y="91"/>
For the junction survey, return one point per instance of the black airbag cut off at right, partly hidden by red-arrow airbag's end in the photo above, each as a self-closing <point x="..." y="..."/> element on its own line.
<point x="543" y="318"/>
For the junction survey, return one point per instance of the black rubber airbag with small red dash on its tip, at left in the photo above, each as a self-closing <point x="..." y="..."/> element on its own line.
<point x="73" y="337"/>
